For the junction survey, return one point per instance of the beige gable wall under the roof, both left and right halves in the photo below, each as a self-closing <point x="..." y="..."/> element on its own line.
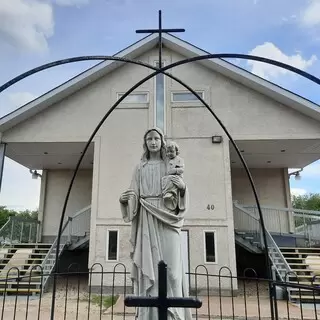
<point x="241" y="109"/>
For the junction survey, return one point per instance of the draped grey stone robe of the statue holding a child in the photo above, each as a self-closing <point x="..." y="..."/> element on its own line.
<point x="155" y="236"/>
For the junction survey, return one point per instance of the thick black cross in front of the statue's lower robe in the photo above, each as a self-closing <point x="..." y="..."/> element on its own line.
<point x="162" y="302"/>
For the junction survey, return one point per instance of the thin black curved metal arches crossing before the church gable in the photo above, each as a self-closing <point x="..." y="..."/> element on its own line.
<point x="158" y="71"/>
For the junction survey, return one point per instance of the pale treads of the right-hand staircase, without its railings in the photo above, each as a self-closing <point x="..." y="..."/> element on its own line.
<point x="304" y="271"/>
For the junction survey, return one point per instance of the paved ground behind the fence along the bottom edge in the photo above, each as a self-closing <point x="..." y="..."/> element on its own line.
<point x="226" y="310"/>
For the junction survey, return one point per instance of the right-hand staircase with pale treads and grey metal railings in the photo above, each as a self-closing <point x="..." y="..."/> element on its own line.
<point x="288" y="263"/>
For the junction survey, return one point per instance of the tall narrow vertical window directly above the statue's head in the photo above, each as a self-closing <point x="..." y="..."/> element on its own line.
<point x="160" y="97"/>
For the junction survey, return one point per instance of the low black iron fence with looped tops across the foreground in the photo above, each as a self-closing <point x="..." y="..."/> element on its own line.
<point x="100" y="294"/>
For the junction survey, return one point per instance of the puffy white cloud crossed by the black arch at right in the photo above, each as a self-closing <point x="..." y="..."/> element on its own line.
<point x="269" y="50"/>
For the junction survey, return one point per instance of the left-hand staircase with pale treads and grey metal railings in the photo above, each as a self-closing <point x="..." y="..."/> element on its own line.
<point x="25" y="267"/>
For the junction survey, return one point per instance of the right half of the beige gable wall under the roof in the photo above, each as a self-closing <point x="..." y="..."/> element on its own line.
<point x="244" y="112"/>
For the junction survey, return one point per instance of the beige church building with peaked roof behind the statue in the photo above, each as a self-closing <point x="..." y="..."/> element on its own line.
<point x="274" y="129"/>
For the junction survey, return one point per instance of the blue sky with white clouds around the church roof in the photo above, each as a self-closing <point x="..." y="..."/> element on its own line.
<point x="33" y="32"/>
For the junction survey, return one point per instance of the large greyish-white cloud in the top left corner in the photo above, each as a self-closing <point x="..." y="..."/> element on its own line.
<point x="26" y="24"/>
